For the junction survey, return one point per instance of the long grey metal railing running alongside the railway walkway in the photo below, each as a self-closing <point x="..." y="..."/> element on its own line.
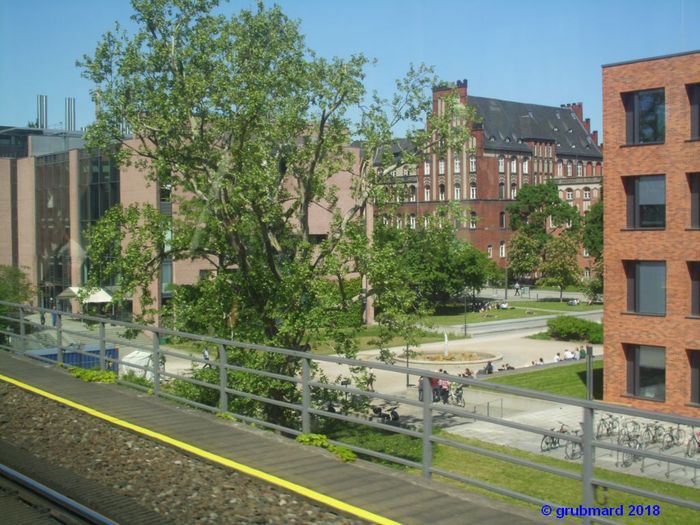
<point x="604" y="439"/>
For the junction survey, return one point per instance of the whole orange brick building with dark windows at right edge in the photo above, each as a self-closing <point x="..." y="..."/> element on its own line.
<point x="651" y="119"/>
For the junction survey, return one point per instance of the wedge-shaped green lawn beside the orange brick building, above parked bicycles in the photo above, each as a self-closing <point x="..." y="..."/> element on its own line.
<point x="565" y="380"/>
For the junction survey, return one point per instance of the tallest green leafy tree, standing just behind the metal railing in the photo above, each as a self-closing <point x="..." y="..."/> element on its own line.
<point x="246" y="125"/>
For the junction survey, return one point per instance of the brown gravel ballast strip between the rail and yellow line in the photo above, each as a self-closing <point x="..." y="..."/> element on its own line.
<point x="182" y="489"/>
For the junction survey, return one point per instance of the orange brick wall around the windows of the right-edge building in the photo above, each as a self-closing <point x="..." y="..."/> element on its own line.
<point x="676" y="244"/>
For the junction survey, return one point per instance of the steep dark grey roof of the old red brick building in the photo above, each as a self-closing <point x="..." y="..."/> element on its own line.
<point x="508" y="125"/>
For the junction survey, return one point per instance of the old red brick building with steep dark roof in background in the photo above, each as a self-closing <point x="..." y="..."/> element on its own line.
<point x="515" y="144"/>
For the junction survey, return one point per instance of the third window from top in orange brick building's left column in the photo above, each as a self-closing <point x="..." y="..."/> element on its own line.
<point x="646" y="287"/>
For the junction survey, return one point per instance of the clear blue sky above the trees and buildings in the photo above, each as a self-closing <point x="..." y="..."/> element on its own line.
<point x="546" y="51"/>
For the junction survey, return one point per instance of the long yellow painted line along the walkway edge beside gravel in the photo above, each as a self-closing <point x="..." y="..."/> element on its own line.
<point x="291" y="486"/>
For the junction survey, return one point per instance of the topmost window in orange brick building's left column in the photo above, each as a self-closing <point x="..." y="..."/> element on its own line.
<point x="646" y="116"/>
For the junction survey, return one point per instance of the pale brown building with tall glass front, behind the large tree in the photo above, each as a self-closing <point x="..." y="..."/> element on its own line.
<point x="51" y="190"/>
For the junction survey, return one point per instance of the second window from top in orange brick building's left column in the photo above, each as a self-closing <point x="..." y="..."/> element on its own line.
<point x="646" y="201"/>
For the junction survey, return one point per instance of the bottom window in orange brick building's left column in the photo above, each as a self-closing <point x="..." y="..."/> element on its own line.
<point x="646" y="371"/>
